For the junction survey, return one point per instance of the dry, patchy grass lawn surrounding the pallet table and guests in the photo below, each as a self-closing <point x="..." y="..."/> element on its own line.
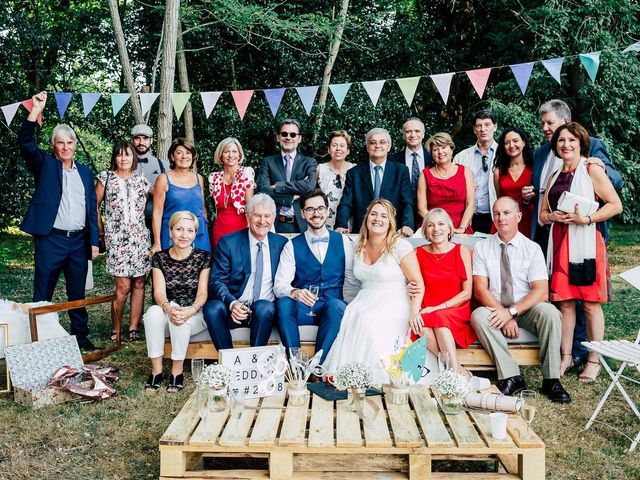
<point x="118" y="438"/>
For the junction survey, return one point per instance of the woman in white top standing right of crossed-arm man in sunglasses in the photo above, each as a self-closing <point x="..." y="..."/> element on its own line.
<point x="333" y="174"/>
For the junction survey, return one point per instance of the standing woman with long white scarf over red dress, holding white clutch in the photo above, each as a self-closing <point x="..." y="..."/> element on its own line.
<point x="577" y="253"/>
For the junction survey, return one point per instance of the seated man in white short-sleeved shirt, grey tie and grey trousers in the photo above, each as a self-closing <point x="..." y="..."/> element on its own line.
<point x="510" y="281"/>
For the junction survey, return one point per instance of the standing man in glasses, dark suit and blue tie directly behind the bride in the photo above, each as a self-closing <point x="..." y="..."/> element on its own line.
<point x="373" y="179"/>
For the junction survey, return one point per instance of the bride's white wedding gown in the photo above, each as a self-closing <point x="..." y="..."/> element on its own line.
<point x="377" y="318"/>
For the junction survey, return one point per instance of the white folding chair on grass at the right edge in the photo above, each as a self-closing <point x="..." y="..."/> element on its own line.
<point x="629" y="354"/>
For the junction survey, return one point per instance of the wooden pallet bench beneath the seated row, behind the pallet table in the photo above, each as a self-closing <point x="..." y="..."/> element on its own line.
<point x="474" y="358"/>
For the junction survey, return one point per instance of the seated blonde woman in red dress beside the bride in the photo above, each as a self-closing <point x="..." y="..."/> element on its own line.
<point x="446" y="271"/>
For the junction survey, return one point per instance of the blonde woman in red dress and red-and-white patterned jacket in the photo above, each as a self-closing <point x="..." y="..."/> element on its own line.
<point x="230" y="189"/>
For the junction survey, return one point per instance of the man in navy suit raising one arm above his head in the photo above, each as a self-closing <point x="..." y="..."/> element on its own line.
<point x="62" y="217"/>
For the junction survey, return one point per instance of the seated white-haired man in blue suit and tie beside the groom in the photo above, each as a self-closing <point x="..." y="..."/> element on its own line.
<point x="241" y="283"/>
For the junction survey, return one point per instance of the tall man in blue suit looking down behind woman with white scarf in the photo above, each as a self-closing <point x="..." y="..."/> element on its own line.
<point x="553" y="114"/>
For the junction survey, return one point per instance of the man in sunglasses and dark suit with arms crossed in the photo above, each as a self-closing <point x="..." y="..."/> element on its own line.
<point x="287" y="175"/>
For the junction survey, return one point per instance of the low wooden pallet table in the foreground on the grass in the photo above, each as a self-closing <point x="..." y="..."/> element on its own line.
<point x="327" y="440"/>
